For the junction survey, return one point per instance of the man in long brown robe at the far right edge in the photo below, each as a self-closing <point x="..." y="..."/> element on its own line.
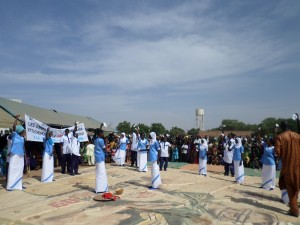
<point x="287" y="148"/>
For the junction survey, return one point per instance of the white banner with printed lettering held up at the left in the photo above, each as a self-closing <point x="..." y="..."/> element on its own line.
<point x="36" y="131"/>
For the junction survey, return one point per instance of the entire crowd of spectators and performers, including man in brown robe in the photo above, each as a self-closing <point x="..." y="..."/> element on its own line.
<point x="135" y="149"/>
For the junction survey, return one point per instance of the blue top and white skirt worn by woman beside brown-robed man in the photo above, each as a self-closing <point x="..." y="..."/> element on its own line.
<point x="269" y="167"/>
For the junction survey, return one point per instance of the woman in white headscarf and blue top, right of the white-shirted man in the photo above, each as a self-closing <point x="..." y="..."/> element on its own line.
<point x="238" y="151"/>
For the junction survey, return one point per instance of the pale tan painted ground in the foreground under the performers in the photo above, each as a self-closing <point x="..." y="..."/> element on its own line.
<point x="183" y="198"/>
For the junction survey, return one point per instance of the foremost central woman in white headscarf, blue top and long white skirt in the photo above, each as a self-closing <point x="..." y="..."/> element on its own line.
<point x="153" y="156"/>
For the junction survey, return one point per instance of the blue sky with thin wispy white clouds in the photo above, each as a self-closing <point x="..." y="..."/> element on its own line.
<point x="153" y="61"/>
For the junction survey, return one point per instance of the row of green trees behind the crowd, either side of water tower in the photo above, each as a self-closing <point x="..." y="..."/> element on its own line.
<point x="267" y="127"/>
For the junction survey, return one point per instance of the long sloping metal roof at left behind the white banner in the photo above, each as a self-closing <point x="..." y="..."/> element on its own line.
<point x="9" y="109"/>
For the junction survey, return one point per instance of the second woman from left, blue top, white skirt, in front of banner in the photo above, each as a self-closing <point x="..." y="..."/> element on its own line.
<point x="48" y="161"/>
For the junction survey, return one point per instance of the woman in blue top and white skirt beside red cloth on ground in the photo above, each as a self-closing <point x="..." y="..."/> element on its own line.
<point x="101" y="177"/>
